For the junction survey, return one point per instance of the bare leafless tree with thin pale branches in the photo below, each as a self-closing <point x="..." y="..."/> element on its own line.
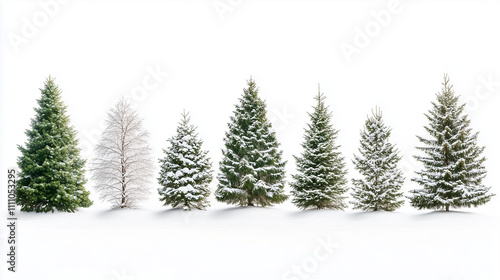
<point x="123" y="166"/>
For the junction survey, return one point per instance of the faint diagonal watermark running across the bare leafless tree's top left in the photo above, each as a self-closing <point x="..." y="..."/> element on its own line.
<point x="153" y="78"/>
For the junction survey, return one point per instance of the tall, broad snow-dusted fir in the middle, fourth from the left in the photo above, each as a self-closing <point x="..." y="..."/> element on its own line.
<point x="251" y="171"/>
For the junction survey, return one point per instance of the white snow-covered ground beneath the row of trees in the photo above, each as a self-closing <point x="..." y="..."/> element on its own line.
<point x="278" y="242"/>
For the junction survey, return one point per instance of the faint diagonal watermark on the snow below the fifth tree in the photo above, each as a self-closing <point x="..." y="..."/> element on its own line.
<point x="322" y="252"/>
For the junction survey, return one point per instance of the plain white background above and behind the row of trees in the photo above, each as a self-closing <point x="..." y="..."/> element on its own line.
<point x="100" y="50"/>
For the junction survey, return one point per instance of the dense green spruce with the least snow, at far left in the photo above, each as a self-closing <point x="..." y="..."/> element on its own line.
<point x="52" y="174"/>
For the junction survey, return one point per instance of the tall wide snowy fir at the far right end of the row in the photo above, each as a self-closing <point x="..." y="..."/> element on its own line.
<point x="453" y="163"/>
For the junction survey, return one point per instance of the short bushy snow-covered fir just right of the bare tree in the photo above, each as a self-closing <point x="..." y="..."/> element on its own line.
<point x="186" y="171"/>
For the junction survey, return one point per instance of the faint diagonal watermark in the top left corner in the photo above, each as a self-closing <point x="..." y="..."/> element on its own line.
<point x="31" y="26"/>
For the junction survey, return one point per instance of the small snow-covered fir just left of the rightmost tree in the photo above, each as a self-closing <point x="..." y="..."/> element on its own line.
<point x="379" y="189"/>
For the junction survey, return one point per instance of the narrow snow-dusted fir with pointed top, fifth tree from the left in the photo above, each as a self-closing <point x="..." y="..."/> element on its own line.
<point x="320" y="181"/>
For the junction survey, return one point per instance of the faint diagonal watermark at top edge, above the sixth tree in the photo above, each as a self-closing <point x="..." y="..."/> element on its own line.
<point x="363" y="36"/>
